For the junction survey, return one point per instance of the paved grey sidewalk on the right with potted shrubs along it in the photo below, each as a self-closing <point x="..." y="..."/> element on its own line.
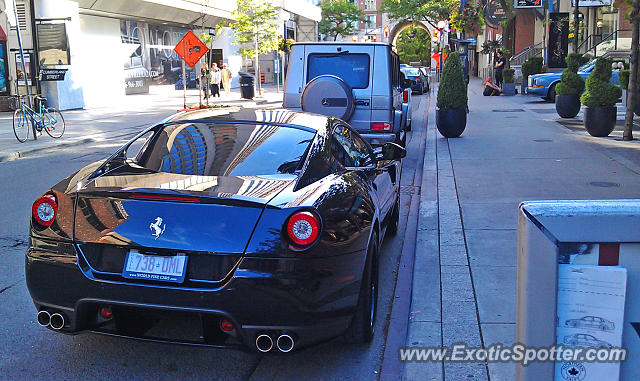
<point x="513" y="149"/>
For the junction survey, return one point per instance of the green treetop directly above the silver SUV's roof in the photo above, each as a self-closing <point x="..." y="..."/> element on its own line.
<point x="339" y="18"/>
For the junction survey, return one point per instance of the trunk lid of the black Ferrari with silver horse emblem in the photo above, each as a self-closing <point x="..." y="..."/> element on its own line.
<point x="142" y="209"/>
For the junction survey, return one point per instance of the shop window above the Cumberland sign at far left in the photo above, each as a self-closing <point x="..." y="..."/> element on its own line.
<point x="53" y="45"/>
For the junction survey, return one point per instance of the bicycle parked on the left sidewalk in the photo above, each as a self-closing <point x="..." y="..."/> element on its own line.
<point x="48" y="119"/>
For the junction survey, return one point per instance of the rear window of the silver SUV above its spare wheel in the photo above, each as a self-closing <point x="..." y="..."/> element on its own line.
<point x="352" y="68"/>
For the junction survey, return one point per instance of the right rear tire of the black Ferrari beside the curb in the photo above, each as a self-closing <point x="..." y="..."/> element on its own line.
<point x="360" y="330"/>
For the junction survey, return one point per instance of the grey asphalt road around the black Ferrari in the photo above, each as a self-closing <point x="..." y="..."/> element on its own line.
<point x="30" y="351"/>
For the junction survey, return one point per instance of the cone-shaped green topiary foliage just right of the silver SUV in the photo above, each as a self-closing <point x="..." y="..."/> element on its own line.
<point x="452" y="92"/>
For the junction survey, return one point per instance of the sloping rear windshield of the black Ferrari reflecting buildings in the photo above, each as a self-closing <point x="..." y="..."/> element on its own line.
<point x="227" y="149"/>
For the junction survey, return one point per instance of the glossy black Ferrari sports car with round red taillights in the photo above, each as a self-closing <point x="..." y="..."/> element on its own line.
<point x="234" y="227"/>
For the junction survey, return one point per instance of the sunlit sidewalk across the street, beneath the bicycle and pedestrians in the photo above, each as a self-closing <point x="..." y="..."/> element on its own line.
<point x="126" y="117"/>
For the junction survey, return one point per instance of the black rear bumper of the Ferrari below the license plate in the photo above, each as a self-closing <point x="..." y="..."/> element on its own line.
<point x="311" y="299"/>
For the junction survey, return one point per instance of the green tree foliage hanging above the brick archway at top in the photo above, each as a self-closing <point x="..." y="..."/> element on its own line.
<point x="426" y="11"/>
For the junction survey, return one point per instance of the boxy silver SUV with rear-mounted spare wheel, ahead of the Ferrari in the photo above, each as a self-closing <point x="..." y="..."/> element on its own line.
<point x="359" y="83"/>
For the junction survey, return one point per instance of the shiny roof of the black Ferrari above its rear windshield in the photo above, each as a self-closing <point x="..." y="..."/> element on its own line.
<point x="279" y="116"/>
